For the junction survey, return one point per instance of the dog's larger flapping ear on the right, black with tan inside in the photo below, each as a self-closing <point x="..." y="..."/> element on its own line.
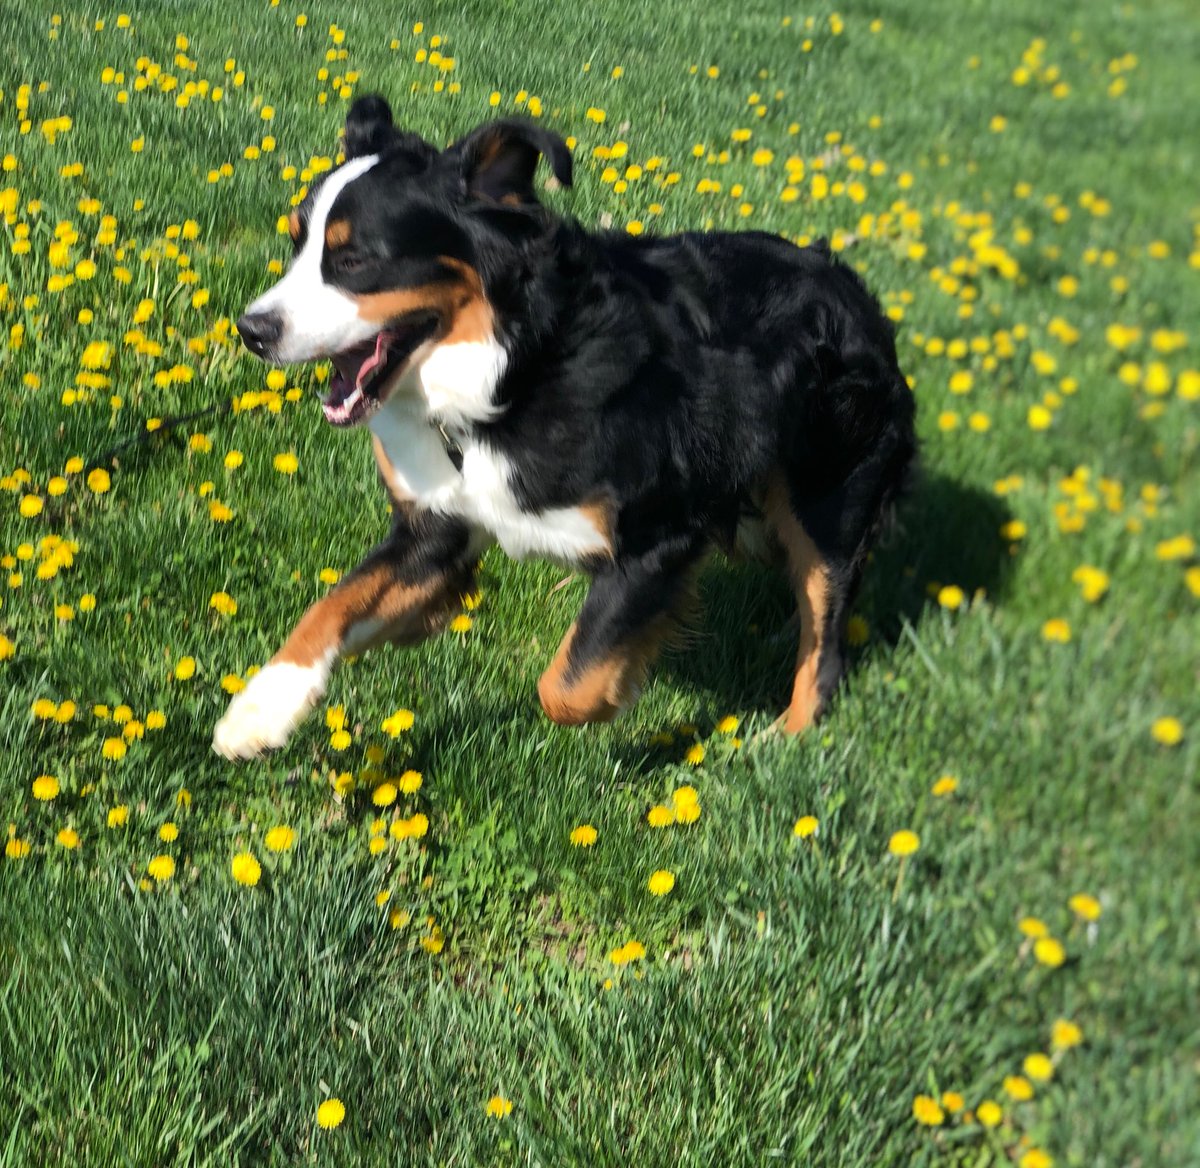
<point x="499" y="160"/>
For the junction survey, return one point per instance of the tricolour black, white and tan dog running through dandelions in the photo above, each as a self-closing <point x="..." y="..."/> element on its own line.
<point x="622" y="405"/>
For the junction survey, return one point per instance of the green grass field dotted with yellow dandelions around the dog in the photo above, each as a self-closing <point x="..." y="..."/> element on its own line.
<point x="1019" y="185"/>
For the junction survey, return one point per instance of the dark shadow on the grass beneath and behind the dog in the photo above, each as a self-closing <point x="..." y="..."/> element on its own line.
<point x="742" y="652"/>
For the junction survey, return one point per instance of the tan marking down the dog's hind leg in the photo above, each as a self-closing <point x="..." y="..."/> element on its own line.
<point x="811" y="579"/>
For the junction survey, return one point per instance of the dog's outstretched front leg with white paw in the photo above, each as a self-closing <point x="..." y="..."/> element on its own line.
<point x="405" y="591"/>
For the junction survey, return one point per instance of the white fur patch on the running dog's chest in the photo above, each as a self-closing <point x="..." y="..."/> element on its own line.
<point x="417" y="466"/>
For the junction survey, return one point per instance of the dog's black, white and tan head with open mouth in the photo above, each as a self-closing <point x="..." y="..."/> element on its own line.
<point x="386" y="253"/>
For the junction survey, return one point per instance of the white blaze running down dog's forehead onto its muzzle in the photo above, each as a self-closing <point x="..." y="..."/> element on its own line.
<point x="319" y="319"/>
